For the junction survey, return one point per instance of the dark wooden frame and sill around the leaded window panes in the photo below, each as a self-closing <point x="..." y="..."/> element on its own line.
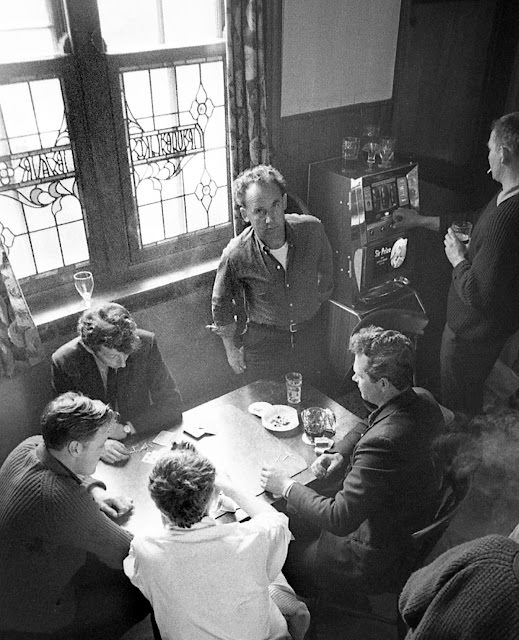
<point x="98" y="138"/>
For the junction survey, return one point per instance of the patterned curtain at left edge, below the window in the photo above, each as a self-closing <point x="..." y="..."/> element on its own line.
<point x="20" y="343"/>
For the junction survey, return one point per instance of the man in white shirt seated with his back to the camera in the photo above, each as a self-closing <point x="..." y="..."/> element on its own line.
<point x="212" y="581"/>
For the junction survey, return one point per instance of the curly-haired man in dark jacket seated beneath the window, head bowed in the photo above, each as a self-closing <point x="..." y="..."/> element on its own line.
<point x="113" y="361"/>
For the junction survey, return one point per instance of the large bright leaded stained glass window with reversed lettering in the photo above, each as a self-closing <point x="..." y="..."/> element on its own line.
<point x="114" y="153"/>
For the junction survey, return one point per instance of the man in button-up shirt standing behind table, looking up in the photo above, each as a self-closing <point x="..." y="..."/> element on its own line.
<point x="271" y="281"/>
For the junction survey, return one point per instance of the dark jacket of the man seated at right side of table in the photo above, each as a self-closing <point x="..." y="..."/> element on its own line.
<point x="388" y="487"/>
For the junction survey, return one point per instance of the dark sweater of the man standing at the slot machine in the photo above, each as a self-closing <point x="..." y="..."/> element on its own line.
<point x="483" y="300"/>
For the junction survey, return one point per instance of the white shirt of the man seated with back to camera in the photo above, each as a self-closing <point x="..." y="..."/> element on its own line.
<point x="211" y="581"/>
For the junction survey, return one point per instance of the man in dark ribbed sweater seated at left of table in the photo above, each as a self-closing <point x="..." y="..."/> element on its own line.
<point x="60" y="553"/>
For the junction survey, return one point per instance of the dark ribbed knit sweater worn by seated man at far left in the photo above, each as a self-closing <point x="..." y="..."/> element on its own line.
<point x="49" y="523"/>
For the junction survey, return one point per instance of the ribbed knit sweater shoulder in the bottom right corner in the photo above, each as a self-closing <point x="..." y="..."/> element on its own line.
<point x="470" y="592"/>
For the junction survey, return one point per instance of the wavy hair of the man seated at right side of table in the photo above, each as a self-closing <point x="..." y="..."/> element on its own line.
<point x="390" y="355"/>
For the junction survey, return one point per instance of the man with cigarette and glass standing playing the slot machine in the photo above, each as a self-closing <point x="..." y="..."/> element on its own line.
<point x="483" y="302"/>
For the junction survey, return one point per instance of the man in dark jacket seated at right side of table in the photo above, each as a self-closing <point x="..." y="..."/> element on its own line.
<point x="381" y="483"/>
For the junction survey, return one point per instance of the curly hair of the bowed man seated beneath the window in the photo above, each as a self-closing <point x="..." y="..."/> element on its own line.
<point x="109" y="325"/>
